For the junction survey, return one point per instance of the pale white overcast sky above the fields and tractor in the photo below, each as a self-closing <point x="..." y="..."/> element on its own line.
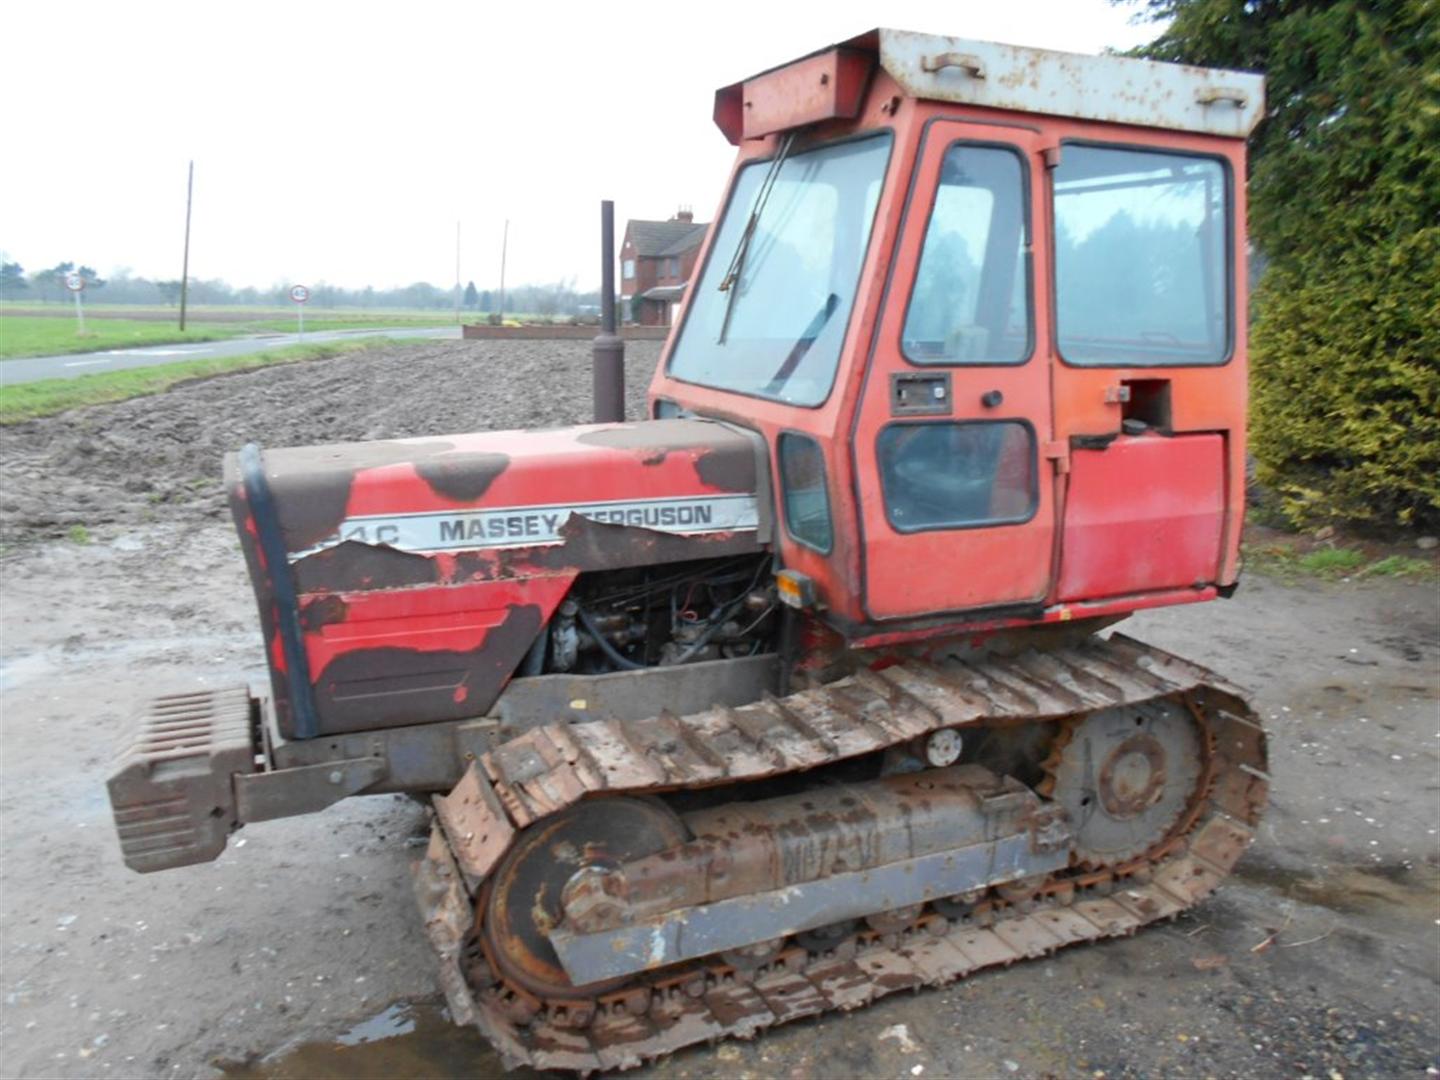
<point x="342" y="143"/>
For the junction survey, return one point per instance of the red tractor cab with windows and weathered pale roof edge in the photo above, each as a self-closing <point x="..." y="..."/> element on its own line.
<point x="986" y="306"/>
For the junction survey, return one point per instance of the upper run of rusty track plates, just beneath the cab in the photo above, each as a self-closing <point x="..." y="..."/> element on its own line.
<point x="552" y="767"/>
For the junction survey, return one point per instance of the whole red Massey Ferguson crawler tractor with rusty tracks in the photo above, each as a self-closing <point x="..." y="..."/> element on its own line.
<point x="800" y="692"/>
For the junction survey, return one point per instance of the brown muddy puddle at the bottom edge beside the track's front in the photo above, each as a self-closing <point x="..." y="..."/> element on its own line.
<point x="405" y="1042"/>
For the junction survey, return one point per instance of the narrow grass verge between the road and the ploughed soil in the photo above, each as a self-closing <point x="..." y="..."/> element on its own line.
<point x="51" y="397"/>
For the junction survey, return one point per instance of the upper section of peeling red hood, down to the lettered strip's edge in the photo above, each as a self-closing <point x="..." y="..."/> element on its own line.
<point x="515" y="489"/>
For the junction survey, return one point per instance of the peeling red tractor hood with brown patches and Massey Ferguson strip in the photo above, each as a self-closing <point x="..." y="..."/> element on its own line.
<point x="402" y="582"/>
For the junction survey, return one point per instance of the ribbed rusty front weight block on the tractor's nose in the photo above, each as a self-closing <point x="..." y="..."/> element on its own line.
<point x="171" y="790"/>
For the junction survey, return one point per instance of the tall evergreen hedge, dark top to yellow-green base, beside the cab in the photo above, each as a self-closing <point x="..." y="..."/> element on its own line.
<point x="1346" y="205"/>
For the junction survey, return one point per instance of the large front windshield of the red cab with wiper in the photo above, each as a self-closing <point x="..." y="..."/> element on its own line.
<point x="770" y="312"/>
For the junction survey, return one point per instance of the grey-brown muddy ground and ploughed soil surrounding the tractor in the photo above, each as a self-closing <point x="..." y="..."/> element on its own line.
<point x="299" y="953"/>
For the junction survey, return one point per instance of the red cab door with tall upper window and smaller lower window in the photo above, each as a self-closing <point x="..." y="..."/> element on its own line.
<point x="957" y="500"/>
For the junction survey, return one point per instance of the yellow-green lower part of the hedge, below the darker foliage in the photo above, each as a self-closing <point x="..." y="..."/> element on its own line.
<point x="1346" y="385"/>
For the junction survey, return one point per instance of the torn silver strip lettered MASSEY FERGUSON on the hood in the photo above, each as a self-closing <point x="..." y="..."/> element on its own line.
<point x="529" y="526"/>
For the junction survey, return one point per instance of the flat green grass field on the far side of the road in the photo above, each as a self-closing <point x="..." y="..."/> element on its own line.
<point x="55" y="335"/>
